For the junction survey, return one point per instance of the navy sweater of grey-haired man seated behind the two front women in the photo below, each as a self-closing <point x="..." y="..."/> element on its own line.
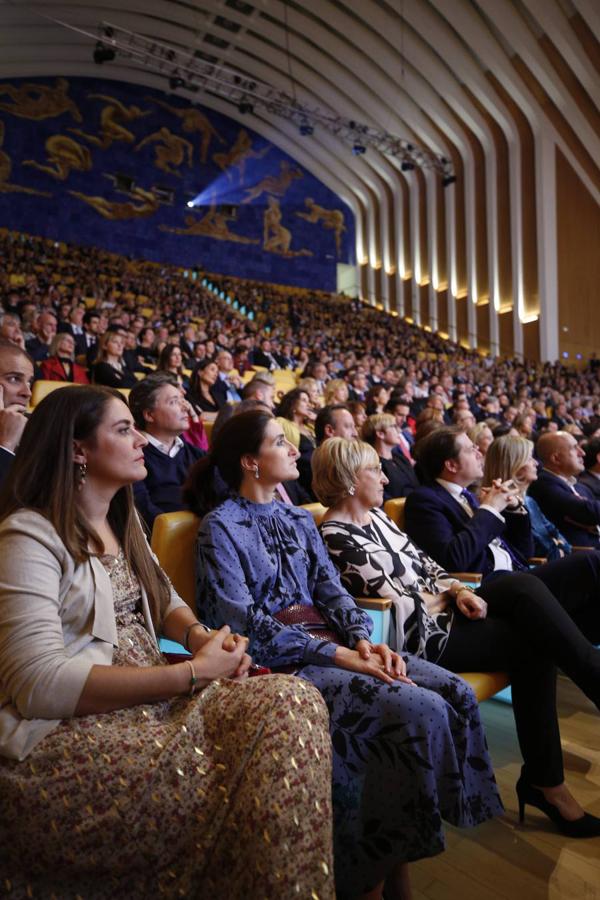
<point x="160" y="491"/>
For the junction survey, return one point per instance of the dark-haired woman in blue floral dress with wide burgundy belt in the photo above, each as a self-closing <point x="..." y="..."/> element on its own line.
<point x="399" y="742"/>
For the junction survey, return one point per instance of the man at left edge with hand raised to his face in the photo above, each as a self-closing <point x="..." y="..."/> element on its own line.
<point x="16" y="375"/>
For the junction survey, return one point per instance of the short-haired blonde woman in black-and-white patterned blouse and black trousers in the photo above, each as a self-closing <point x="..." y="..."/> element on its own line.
<point x="513" y="623"/>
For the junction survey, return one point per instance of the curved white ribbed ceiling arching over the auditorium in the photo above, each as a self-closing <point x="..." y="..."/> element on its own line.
<point x="459" y="77"/>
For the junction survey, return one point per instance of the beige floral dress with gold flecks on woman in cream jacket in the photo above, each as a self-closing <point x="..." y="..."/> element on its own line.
<point x="225" y="795"/>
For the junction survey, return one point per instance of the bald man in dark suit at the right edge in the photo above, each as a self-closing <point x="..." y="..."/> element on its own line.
<point x="569" y="504"/>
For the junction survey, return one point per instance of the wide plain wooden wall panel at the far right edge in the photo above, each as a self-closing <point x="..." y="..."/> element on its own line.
<point x="578" y="252"/>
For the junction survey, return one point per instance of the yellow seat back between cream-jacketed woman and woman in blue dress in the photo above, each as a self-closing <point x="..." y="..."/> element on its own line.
<point x="174" y="543"/>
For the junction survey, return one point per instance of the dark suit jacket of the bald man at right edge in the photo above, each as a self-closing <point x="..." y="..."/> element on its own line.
<point x="576" y="516"/>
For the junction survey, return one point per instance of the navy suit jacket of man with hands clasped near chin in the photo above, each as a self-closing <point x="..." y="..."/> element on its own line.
<point x="458" y="542"/>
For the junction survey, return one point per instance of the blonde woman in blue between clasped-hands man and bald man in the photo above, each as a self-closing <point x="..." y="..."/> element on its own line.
<point x="511" y="458"/>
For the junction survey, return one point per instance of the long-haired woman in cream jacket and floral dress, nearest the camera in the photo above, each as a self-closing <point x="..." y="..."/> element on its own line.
<point x="122" y="776"/>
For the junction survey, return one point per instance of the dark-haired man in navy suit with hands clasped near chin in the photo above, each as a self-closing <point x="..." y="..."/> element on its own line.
<point x="463" y="535"/>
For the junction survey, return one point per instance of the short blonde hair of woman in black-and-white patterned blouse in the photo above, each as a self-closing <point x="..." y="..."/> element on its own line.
<point x="335" y="466"/>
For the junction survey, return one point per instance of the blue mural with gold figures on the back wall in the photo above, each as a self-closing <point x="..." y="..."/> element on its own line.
<point x="114" y="165"/>
